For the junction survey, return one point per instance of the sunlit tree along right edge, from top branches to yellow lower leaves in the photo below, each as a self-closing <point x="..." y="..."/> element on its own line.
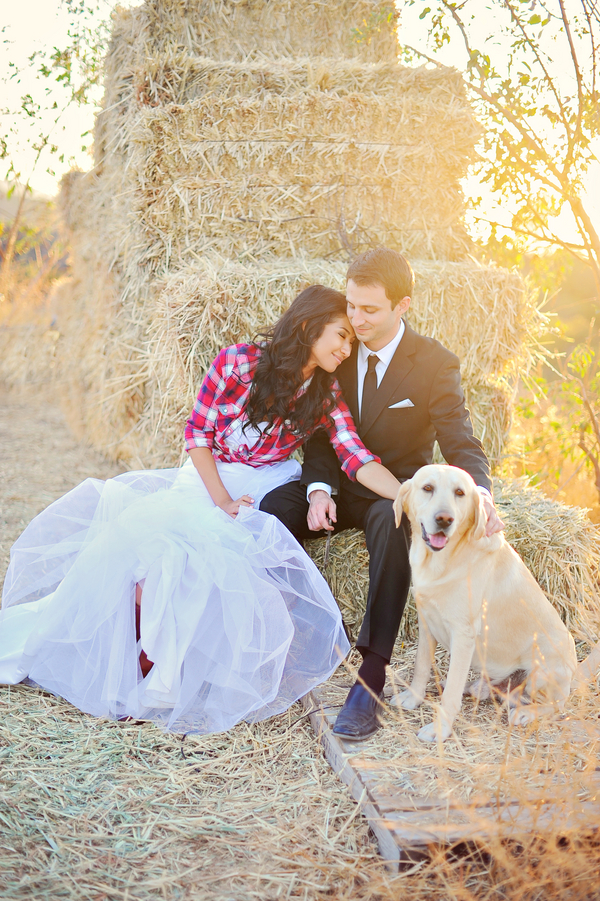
<point x="531" y="68"/>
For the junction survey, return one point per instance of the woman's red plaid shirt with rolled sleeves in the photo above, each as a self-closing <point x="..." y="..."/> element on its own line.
<point x="218" y="415"/>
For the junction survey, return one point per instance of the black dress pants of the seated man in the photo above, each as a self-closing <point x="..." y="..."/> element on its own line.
<point x="389" y="569"/>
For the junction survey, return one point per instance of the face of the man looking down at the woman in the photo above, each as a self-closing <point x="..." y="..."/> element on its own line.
<point x="371" y="314"/>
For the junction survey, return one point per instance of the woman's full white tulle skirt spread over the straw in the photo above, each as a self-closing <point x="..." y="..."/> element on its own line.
<point x="236" y="618"/>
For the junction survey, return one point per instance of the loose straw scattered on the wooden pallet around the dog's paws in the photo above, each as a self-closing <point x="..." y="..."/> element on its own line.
<point x="485" y="760"/>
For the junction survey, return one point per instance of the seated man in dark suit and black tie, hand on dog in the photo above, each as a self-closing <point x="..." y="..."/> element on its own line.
<point x="404" y="392"/>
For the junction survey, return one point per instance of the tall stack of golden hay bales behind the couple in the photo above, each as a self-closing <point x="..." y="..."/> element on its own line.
<point x="245" y="150"/>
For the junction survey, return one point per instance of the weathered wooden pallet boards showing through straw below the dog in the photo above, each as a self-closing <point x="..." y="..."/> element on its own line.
<point x="406" y="825"/>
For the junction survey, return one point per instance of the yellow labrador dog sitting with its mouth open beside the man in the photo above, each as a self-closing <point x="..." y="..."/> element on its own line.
<point x="476" y="597"/>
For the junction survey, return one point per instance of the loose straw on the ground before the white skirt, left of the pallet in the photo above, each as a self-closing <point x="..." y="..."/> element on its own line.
<point x="106" y="810"/>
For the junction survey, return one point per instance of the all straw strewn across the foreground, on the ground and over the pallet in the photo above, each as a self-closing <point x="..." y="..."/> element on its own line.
<point x="110" y="811"/>
